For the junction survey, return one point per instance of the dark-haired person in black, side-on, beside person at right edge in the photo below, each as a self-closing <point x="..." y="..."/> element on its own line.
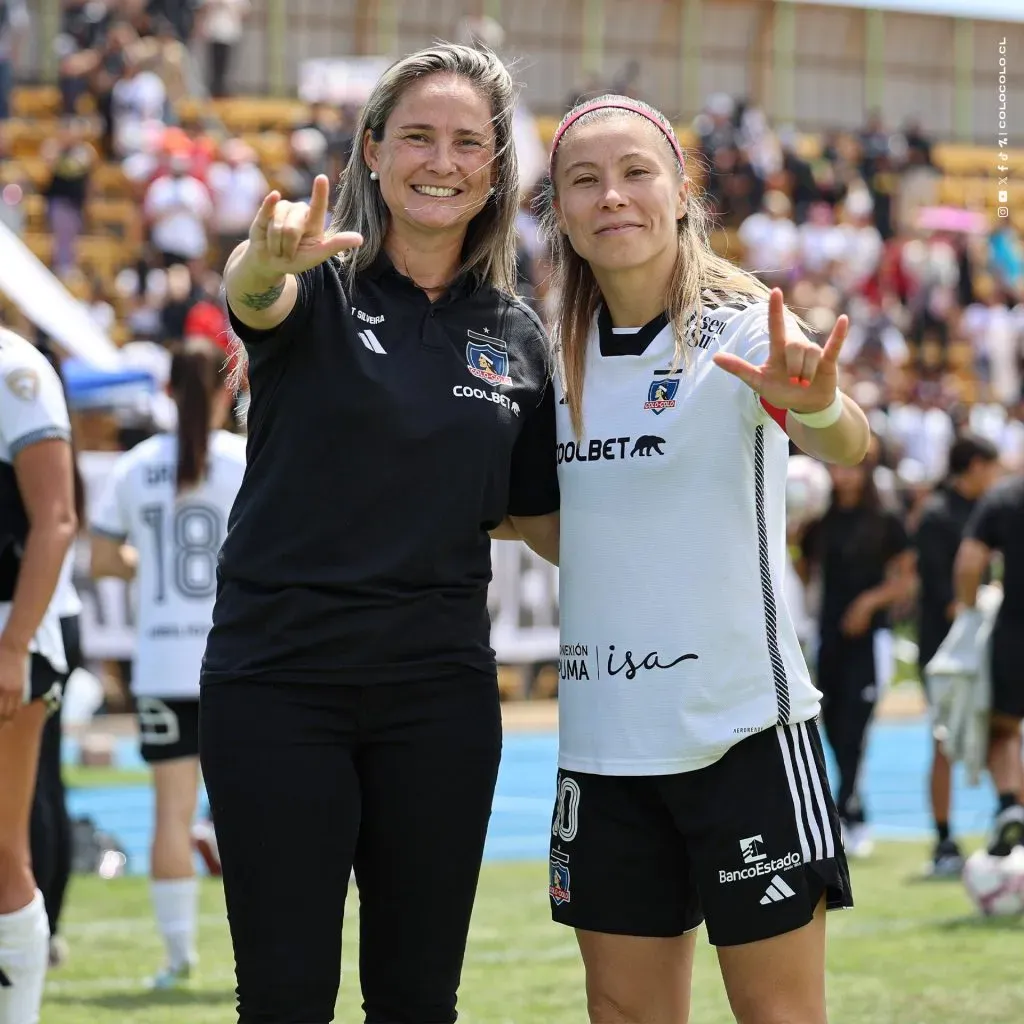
<point x="974" y="463"/>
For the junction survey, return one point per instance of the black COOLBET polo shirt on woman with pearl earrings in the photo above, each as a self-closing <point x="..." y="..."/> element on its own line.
<point x="388" y="435"/>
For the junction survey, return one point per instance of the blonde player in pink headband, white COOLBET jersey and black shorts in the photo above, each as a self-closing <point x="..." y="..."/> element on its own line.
<point x="692" y="783"/>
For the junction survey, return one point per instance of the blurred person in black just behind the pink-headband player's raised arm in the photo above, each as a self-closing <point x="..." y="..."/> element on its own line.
<point x="866" y="561"/>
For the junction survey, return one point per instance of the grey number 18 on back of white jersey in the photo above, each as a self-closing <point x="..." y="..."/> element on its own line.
<point x="196" y="532"/>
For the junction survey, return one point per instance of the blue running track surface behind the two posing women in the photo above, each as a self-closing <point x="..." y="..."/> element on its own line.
<point x="894" y="788"/>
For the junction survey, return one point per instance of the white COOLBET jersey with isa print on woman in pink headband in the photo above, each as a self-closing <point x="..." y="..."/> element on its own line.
<point x="676" y="639"/>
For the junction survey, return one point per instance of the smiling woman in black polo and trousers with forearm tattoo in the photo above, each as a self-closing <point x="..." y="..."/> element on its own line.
<point x="401" y="410"/>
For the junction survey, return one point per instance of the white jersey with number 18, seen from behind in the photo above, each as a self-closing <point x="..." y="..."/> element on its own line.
<point x="179" y="540"/>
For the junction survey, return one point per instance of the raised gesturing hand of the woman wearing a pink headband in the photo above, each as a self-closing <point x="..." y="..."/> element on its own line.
<point x="799" y="374"/>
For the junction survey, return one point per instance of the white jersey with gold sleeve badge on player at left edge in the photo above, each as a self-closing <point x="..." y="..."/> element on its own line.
<point x="32" y="409"/>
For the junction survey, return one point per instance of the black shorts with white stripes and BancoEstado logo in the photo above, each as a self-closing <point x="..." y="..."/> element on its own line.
<point x="752" y="842"/>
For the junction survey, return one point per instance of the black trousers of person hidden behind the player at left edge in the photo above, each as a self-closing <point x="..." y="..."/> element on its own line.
<point x="51" y="833"/>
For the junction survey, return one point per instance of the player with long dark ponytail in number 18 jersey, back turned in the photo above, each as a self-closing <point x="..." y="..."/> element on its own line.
<point x="161" y="523"/>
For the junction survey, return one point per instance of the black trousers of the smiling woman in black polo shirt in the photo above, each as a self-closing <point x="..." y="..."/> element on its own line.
<point x="307" y="782"/>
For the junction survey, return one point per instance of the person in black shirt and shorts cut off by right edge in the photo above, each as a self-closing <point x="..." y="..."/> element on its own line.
<point x="998" y="525"/>
